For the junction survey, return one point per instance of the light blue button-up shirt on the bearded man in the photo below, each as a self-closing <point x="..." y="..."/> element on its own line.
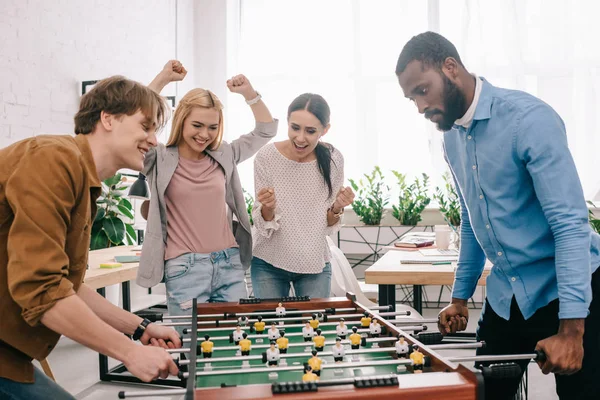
<point x="522" y="207"/>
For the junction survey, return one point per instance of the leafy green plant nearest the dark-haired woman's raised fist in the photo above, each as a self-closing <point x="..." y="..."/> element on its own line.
<point x="371" y="197"/>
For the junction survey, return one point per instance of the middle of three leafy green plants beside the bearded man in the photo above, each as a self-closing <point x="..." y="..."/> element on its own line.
<point x="412" y="200"/>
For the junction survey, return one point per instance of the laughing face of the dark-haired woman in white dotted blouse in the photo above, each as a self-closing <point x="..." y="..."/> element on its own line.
<point x="304" y="132"/>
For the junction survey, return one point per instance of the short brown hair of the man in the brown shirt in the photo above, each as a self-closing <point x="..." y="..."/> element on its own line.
<point x="118" y="96"/>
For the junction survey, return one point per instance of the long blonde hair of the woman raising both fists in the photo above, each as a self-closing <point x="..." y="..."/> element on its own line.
<point x="196" y="98"/>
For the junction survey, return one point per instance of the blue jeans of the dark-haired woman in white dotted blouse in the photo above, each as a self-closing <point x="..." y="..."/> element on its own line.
<point x="270" y="282"/>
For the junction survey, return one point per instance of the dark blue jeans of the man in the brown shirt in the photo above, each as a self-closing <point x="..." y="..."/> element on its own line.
<point x="42" y="389"/>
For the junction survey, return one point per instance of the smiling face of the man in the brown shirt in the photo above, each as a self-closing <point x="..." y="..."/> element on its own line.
<point x="130" y="138"/>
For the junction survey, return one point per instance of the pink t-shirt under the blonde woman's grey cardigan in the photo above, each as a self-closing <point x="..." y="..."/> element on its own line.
<point x="196" y="209"/>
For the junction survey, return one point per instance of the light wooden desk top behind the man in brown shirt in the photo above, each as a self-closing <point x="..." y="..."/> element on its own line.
<point x="97" y="277"/>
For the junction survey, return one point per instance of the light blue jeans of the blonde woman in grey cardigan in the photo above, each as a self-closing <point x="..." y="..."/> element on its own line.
<point x="214" y="277"/>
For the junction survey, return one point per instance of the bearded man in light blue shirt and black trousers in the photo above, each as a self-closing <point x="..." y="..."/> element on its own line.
<point x="523" y="209"/>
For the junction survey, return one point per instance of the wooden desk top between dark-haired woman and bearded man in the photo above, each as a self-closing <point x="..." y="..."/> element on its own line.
<point x="389" y="271"/>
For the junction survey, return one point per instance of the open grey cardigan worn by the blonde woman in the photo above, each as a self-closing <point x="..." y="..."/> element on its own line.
<point x="159" y="166"/>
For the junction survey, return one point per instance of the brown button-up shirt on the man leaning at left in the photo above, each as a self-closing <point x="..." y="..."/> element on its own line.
<point x="48" y="191"/>
